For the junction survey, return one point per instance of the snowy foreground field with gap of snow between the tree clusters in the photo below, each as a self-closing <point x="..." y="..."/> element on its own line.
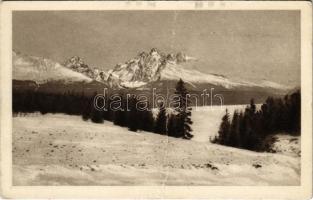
<point x="64" y="150"/>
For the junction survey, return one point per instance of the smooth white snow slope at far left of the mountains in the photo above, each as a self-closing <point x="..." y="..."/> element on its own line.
<point x="42" y="70"/>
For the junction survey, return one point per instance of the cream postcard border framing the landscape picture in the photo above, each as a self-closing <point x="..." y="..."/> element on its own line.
<point x="247" y="192"/>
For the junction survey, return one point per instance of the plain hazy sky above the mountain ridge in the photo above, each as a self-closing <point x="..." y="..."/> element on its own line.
<point x="246" y="45"/>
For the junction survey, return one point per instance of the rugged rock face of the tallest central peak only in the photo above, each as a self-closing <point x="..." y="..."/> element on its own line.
<point x="145" y="68"/>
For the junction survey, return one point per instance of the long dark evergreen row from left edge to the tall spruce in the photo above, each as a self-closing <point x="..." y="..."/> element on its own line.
<point x="128" y="115"/>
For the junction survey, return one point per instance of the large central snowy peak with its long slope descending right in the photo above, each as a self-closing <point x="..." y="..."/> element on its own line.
<point x="156" y="65"/>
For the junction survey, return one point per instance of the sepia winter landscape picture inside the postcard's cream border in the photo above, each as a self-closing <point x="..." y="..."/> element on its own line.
<point x="158" y="97"/>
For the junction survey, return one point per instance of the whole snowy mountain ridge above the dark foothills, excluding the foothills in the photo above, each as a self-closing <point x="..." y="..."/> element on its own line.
<point x="139" y="72"/>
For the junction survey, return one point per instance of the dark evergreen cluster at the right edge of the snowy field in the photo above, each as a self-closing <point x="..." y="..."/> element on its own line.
<point x="250" y="129"/>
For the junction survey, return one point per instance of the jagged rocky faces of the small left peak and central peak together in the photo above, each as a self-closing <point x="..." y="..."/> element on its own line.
<point x="144" y="68"/>
